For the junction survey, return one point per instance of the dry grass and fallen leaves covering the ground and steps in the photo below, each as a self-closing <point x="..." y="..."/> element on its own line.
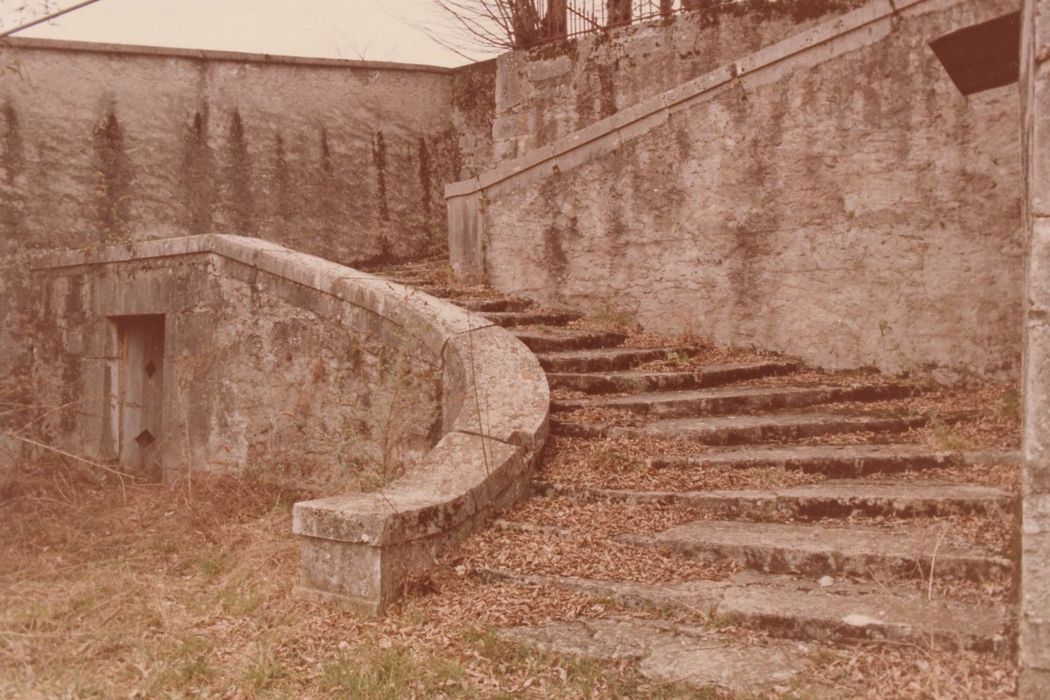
<point x="186" y="590"/>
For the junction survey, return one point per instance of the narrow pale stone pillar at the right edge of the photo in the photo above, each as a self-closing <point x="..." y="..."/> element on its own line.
<point x="1035" y="593"/>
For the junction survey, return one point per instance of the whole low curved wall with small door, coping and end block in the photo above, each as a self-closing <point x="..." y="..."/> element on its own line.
<point x="271" y="362"/>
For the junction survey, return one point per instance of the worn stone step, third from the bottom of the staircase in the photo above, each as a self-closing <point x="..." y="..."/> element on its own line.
<point x="820" y="550"/>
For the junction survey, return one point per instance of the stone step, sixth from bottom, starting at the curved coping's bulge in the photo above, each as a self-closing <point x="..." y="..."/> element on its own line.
<point x="746" y="430"/>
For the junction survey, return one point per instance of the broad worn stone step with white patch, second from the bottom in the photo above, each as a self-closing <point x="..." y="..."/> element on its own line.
<point x="804" y="609"/>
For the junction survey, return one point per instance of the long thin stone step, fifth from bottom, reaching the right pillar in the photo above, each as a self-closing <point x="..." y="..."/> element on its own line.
<point x="838" y="461"/>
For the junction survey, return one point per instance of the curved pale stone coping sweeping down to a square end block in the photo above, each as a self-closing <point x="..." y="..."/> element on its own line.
<point x="360" y="549"/>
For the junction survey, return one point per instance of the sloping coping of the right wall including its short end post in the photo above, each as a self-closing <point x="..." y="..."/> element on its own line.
<point x="467" y="235"/>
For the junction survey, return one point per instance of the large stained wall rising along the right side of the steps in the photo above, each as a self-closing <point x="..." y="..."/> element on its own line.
<point x="838" y="201"/>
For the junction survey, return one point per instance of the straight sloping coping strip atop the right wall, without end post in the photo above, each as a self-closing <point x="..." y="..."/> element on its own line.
<point x="607" y="135"/>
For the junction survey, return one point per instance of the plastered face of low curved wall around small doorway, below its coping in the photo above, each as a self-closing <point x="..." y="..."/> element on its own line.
<point x="261" y="375"/>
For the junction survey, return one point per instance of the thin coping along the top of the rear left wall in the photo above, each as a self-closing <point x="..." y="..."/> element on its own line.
<point x="212" y="55"/>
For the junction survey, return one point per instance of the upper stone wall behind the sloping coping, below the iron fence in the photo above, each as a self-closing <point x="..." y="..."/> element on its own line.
<point x="549" y="93"/>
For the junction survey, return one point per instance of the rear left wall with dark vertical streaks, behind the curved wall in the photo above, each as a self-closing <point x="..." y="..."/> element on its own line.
<point x="106" y="144"/>
